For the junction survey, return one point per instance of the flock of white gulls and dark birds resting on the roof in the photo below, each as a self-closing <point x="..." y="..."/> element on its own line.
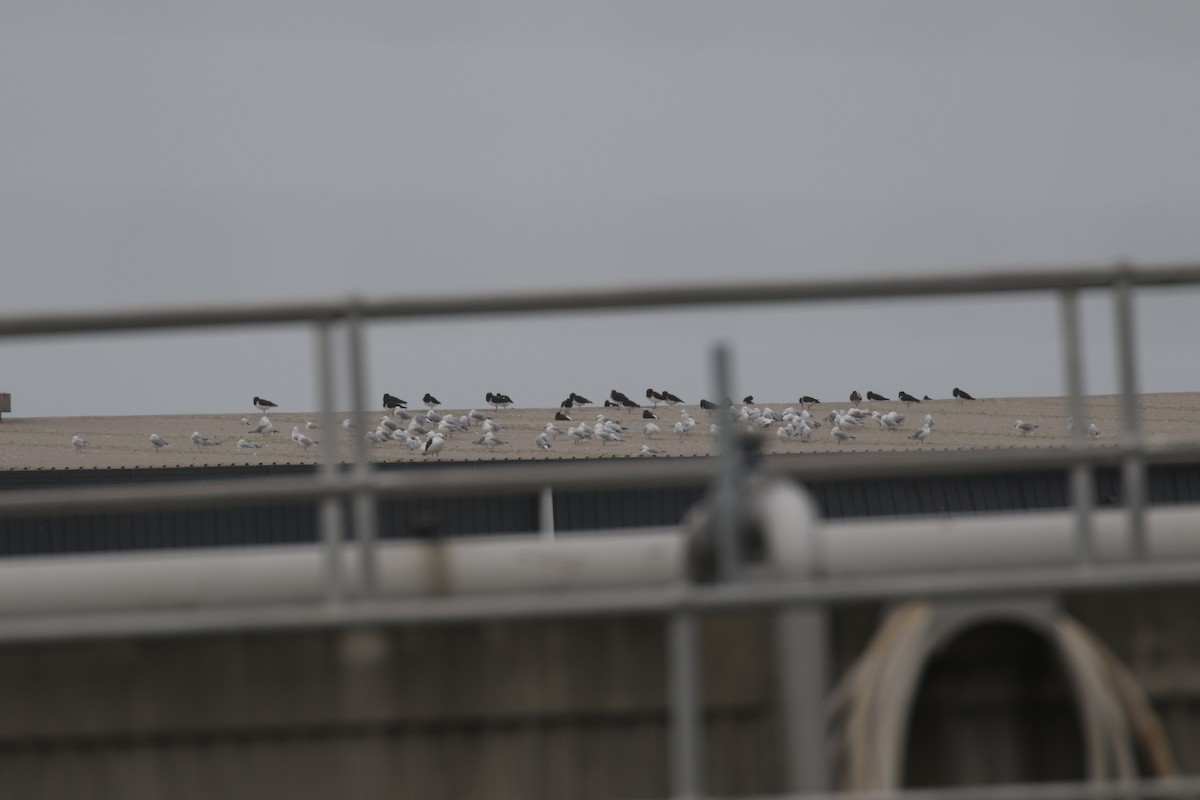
<point x="428" y="431"/>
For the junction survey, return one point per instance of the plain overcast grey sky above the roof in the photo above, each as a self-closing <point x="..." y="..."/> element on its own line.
<point x="177" y="153"/>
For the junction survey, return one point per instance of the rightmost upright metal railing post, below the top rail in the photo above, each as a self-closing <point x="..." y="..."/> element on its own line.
<point x="1133" y="467"/>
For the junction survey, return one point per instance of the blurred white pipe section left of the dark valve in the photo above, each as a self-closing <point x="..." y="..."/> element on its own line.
<point x="291" y="575"/>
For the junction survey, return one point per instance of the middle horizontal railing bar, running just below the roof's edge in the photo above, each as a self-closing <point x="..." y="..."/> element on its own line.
<point x="535" y="477"/>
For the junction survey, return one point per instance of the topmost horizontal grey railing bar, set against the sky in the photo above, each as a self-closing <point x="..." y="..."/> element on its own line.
<point x="602" y="299"/>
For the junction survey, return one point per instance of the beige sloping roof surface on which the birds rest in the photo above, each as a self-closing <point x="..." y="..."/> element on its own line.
<point x="43" y="443"/>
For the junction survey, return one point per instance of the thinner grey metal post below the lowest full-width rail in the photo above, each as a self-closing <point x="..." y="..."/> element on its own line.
<point x="687" y="733"/>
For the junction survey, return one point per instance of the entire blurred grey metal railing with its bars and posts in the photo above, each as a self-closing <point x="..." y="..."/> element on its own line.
<point x="363" y="486"/>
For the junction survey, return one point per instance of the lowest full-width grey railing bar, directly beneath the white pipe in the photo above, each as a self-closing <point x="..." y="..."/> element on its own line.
<point x="598" y="603"/>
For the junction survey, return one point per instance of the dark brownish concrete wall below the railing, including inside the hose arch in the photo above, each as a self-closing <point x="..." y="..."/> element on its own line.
<point x="523" y="711"/>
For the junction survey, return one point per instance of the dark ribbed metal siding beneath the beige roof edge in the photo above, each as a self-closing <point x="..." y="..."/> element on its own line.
<point x="575" y="510"/>
